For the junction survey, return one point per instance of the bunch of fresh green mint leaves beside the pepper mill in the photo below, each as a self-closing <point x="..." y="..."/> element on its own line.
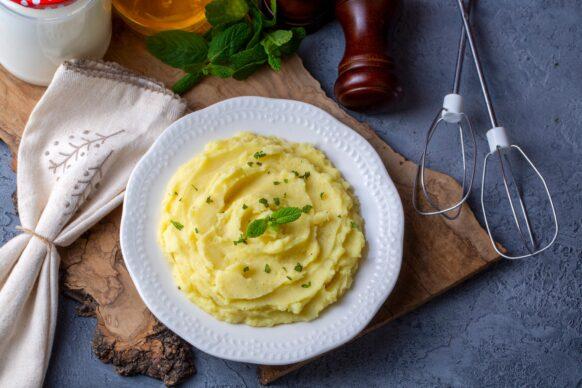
<point x="240" y="41"/>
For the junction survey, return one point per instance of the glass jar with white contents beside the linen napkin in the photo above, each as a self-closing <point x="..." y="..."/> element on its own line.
<point x="34" y="41"/>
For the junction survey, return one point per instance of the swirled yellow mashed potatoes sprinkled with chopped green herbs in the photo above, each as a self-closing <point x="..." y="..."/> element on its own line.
<point x="291" y="272"/>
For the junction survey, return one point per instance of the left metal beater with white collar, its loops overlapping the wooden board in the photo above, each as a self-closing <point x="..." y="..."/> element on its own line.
<point x="450" y="113"/>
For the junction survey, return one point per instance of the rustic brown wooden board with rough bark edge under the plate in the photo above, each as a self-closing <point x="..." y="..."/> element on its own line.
<point x="437" y="254"/>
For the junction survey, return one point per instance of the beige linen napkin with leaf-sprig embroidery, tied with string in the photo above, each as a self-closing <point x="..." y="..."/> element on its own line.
<point x="82" y="140"/>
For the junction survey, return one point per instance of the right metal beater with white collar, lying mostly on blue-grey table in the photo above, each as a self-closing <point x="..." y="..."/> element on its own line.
<point x="500" y="146"/>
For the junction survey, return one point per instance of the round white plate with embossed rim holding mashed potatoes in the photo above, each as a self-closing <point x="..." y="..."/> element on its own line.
<point x="291" y="120"/>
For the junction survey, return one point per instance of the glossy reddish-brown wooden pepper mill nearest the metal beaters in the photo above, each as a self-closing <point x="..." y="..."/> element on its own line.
<point x="366" y="80"/>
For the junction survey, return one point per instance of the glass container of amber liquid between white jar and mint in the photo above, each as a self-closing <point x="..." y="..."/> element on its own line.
<point x="151" y="16"/>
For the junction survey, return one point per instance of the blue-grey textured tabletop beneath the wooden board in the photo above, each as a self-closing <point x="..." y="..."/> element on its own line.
<point x="518" y="323"/>
